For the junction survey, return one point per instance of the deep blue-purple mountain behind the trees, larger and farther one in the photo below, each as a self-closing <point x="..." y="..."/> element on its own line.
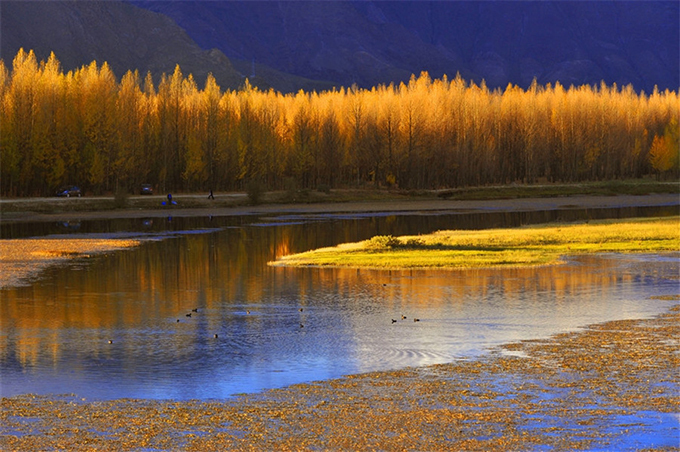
<point x="371" y="42"/>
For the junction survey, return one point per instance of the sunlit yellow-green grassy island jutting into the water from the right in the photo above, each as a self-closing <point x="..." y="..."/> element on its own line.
<point x="532" y="245"/>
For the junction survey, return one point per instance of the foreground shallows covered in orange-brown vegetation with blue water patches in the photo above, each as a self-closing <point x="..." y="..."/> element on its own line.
<point x="613" y="386"/>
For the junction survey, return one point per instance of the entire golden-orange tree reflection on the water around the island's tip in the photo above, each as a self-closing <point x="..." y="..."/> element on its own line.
<point x="228" y="271"/>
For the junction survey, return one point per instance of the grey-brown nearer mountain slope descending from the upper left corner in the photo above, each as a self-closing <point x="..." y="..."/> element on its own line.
<point x="125" y="36"/>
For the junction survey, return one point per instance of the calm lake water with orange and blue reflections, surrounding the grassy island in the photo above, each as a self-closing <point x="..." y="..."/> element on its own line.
<point x="278" y="326"/>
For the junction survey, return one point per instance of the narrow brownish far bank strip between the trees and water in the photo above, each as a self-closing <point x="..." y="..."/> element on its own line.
<point x="406" y="205"/>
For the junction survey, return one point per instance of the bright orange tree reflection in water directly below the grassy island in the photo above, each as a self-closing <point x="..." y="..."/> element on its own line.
<point x="446" y="286"/>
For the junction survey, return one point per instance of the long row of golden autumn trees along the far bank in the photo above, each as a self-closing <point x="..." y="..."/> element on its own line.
<point x="88" y="128"/>
